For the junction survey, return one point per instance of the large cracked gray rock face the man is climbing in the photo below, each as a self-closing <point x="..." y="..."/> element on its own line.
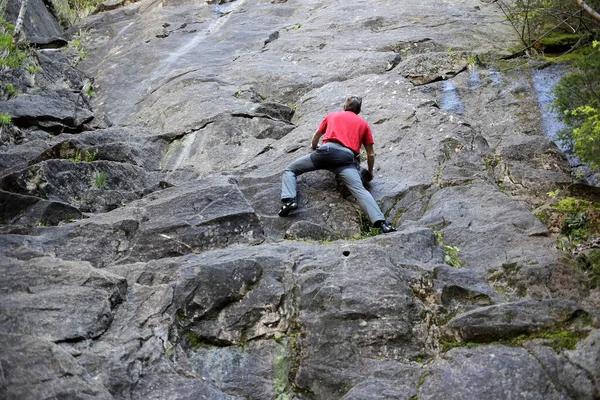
<point x="141" y="252"/>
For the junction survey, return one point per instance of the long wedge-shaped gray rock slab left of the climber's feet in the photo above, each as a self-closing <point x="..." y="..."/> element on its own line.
<point x="200" y="216"/>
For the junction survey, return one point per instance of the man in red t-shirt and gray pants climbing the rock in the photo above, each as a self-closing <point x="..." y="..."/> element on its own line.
<point x="343" y="135"/>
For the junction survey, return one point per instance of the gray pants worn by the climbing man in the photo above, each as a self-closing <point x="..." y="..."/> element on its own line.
<point x="340" y="160"/>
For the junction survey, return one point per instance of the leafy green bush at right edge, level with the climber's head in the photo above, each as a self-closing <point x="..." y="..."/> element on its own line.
<point x="577" y="102"/>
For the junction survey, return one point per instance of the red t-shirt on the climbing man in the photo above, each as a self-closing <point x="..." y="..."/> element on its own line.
<point x="347" y="129"/>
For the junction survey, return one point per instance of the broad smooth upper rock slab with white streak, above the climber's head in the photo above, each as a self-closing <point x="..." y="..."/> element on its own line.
<point x="301" y="56"/>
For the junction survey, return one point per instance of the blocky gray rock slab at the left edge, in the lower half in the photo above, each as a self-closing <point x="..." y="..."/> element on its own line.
<point x="57" y="300"/>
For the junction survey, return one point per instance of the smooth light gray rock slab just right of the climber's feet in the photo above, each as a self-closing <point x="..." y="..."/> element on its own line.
<point x="485" y="224"/>
